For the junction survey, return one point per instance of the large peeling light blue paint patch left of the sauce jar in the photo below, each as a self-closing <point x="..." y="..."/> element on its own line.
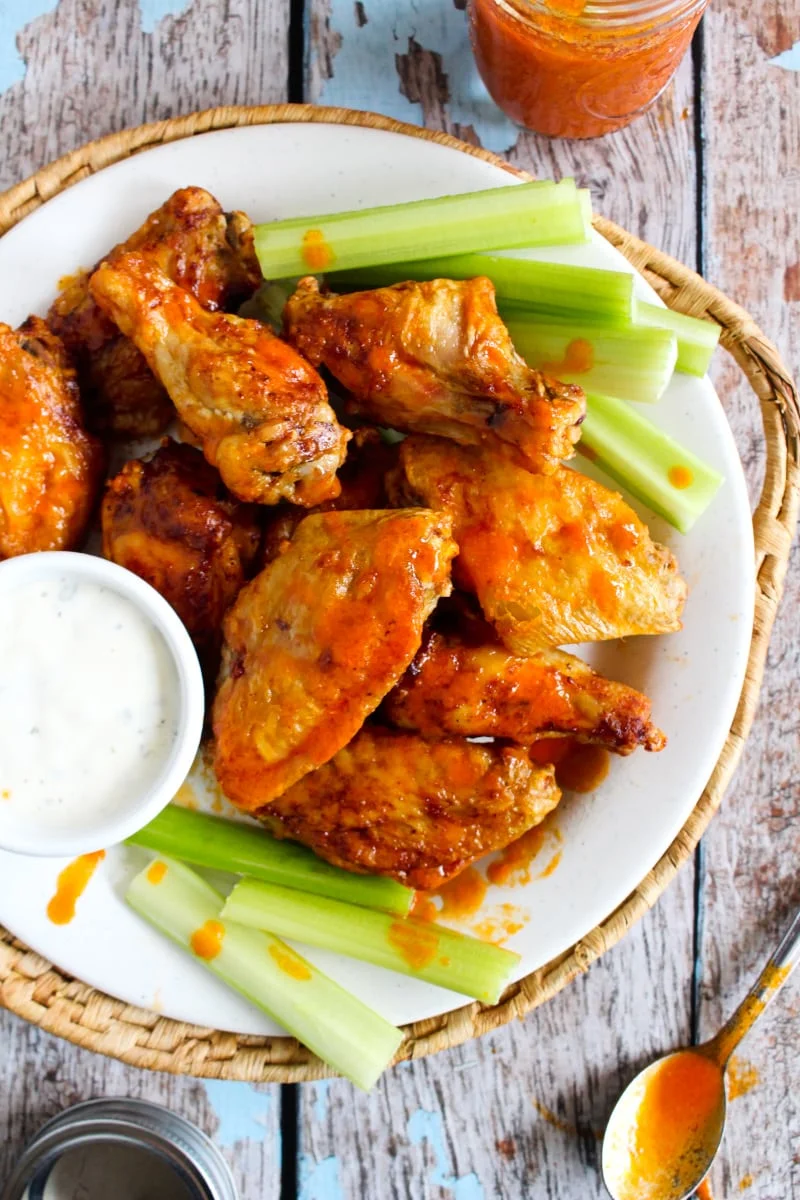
<point x="365" y="74"/>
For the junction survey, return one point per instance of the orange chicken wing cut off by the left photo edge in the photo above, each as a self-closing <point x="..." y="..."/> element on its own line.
<point x="50" y="467"/>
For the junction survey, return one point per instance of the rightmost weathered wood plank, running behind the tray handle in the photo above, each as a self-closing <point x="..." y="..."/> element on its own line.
<point x="753" y="849"/>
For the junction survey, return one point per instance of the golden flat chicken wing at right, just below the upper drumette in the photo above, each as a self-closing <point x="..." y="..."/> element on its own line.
<point x="552" y="559"/>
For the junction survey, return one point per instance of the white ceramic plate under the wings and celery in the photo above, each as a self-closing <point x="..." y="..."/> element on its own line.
<point x="612" y="838"/>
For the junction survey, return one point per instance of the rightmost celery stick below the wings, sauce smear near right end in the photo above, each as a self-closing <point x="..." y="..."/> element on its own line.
<point x="418" y="949"/>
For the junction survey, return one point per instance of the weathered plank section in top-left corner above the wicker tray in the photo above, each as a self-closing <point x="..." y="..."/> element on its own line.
<point x="94" y="67"/>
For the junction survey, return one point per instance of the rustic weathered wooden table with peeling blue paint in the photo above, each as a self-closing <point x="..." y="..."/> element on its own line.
<point x="713" y="177"/>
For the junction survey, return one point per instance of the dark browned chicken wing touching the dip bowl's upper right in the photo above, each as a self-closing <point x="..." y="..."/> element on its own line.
<point x="170" y="520"/>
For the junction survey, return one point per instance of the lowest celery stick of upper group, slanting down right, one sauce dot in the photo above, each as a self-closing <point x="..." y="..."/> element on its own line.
<point x="648" y="463"/>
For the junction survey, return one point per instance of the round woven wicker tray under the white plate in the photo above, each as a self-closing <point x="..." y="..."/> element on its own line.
<point x="34" y="989"/>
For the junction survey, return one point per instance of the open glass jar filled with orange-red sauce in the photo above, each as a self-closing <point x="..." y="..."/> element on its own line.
<point x="579" y="69"/>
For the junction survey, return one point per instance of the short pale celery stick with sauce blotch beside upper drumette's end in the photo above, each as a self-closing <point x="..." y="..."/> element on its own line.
<point x="633" y="364"/>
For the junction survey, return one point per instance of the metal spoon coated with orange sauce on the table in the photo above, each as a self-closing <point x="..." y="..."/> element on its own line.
<point x="628" y="1173"/>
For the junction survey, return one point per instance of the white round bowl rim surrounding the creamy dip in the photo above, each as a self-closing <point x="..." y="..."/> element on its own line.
<point x="91" y="832"/>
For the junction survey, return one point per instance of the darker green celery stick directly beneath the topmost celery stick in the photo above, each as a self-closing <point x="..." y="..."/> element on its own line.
<point x="556" y="290"/>
